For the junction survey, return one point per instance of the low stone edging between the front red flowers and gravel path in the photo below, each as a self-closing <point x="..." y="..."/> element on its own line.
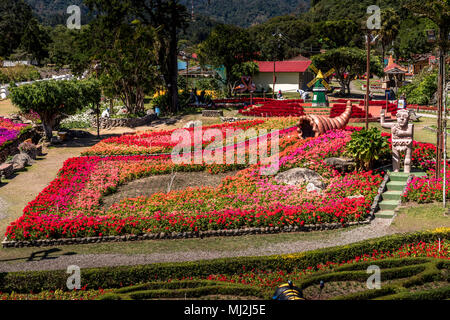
<point x="179" y="235"/>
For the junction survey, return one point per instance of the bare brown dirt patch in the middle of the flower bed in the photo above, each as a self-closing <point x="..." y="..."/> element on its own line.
<point x="154" y="184"/>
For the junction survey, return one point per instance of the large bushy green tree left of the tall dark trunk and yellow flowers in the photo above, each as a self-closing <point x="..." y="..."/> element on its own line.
<point x="125" y="52"/>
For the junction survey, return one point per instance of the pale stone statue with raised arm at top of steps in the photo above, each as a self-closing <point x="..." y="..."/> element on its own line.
<point x="402" y="137"/>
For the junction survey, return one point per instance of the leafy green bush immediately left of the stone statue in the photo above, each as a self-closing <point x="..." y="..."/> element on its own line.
<point x="366" y="147"/>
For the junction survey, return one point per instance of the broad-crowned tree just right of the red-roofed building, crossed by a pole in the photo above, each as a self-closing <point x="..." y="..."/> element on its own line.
<point x="348" y="63"/>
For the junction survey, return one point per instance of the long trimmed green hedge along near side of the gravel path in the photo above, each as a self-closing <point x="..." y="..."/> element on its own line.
<point x="115" y="277"/>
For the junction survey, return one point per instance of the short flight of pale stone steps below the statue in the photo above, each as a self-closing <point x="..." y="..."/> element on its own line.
<point x="392" y="196"/>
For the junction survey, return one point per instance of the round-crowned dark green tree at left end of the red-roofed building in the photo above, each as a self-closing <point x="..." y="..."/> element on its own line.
<point x="227" y="46"/>
